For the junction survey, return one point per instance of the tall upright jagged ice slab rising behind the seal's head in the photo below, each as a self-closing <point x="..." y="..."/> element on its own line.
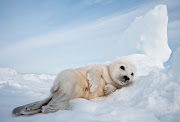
<point x="148" y="35"/>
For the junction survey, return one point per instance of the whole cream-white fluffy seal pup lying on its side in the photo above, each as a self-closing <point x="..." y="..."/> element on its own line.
<point x="86" y="82"/>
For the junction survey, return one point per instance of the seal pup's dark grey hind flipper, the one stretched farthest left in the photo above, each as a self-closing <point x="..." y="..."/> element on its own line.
<point x="32" y="108"/>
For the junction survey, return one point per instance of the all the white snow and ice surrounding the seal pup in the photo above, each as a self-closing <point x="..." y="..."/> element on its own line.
<point x="154" y="97"/>
